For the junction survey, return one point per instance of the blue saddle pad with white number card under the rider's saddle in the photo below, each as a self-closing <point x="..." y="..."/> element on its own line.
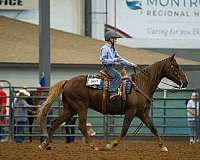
<point x="93" y="82"/>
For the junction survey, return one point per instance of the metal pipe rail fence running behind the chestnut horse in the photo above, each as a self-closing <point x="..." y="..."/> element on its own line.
<point x="168" y="112"/>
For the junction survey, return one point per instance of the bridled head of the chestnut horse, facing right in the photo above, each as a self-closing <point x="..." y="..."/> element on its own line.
<point x="173" y="72"/>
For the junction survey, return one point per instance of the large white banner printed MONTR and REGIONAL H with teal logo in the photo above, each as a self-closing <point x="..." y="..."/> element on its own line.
<point x="159" y="23"/>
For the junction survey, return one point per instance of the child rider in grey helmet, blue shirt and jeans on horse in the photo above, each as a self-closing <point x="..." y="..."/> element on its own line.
<point x="112" y="61"/>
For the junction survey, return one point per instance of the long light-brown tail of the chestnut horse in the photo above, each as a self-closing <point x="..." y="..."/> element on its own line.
<point x="54" y="92"/>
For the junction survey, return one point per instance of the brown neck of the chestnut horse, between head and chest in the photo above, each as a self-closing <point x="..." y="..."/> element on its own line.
<point x="149" y="80"/>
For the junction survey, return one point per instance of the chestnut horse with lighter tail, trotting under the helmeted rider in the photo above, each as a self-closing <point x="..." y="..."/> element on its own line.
<point x="77" y="97"/>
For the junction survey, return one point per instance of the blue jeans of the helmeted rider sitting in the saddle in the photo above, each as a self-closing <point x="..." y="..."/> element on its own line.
<point x="114" y="72"/>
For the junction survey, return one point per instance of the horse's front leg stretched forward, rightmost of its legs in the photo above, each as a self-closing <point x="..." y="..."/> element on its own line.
<point x="149" y="123"/>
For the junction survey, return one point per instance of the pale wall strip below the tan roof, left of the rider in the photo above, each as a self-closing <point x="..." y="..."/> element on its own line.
<point x="28" y="76"/>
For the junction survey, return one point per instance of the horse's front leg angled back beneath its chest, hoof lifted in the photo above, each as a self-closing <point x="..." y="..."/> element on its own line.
<point x="126" y="124"/>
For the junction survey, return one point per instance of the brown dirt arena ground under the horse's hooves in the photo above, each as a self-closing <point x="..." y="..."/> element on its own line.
<point x="127" y="150"/>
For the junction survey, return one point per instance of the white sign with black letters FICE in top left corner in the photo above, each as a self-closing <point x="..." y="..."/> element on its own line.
<point x="18" y="4"/>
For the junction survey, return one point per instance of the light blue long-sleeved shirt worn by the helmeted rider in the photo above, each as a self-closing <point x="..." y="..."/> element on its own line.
<point x="109" y="56"/>
